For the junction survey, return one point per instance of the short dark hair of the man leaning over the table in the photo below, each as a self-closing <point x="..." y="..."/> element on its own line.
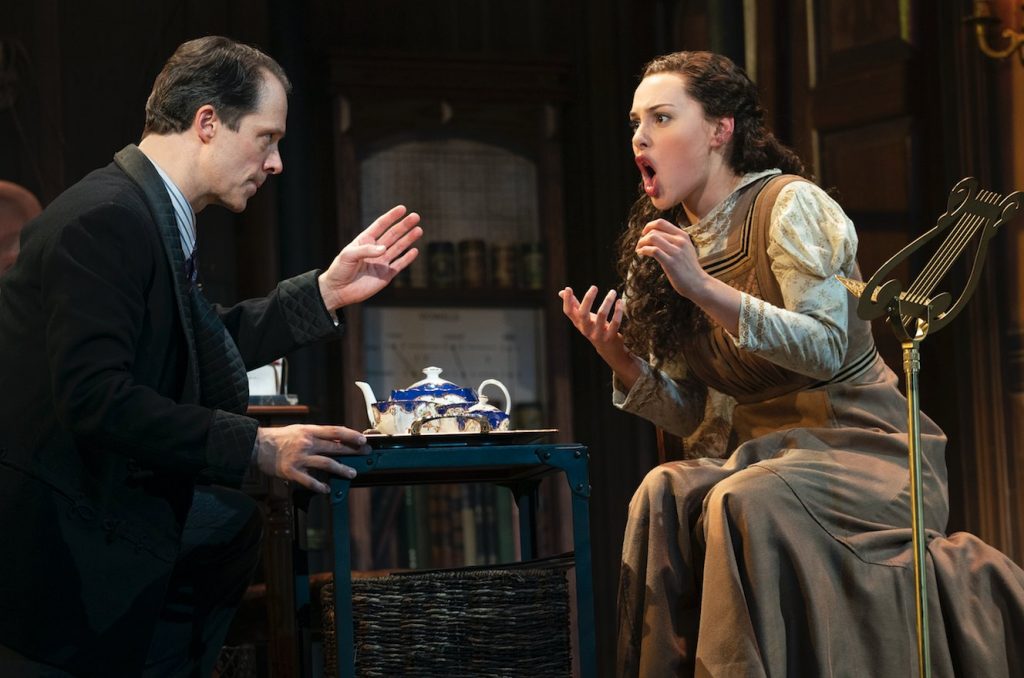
<point x="214" y="70"/>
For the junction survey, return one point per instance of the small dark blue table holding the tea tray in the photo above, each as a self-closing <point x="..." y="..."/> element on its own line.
<point x="520" y="468"/>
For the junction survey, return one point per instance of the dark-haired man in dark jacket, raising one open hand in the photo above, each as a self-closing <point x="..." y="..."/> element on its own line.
<point x="124" y="390"/>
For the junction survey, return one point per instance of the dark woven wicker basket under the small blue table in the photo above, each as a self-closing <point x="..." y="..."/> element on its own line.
<point x="509" y="623"/>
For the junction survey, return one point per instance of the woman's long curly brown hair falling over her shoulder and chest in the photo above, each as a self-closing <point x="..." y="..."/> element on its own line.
<point x="657" y="312"/>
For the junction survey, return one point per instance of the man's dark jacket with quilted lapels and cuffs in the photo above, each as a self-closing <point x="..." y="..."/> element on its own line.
<point x="103" y="438"/>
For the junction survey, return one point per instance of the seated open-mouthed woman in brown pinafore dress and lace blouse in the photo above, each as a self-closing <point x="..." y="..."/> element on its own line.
<point x="793" y="556"/>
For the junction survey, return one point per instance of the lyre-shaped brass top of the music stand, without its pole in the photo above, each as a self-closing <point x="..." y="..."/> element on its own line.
<point x="970" y="214"/>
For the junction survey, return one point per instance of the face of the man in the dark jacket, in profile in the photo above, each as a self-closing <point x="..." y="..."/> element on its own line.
<point x="240" y="161"/>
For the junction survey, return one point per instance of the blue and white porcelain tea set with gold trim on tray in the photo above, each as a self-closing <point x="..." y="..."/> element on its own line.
<point x="437" y="406"/>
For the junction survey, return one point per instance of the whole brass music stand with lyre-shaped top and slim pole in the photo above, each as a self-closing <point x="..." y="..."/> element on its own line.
<point x="916" y="314"/>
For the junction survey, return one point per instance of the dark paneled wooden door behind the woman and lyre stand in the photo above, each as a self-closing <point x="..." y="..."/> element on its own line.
<point x="886" y="101"/>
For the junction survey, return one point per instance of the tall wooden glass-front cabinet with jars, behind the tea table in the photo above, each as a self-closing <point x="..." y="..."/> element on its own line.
<point x="475" y="148"/>
